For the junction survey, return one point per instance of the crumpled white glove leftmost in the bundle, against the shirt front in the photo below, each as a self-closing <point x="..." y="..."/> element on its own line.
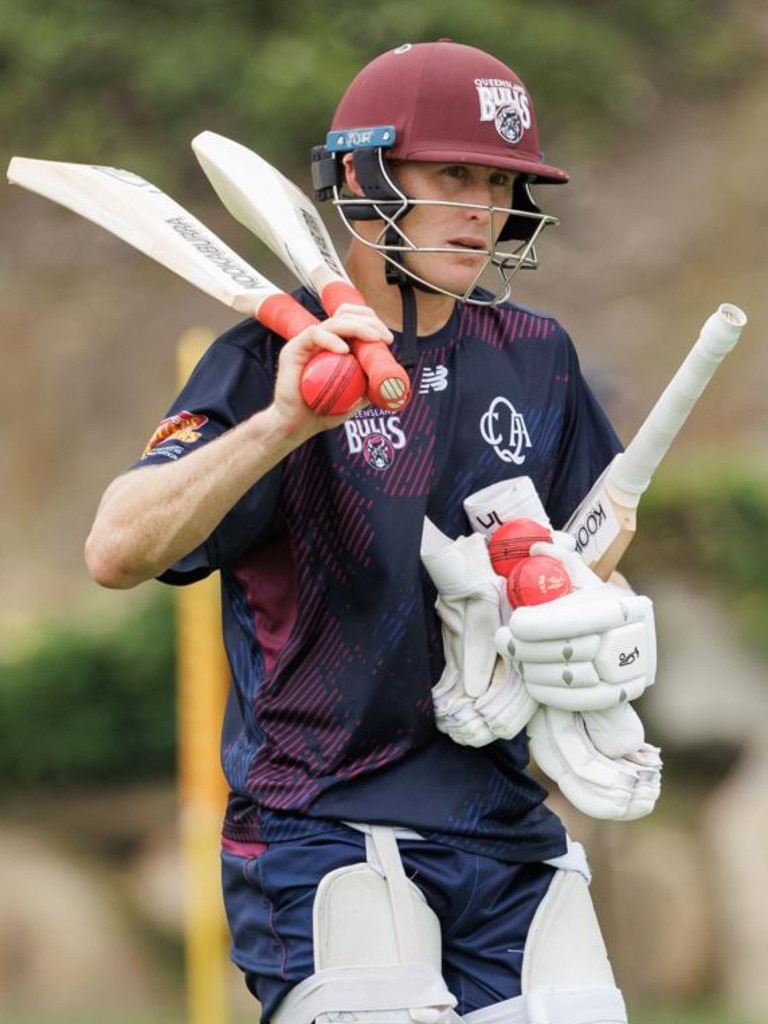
<point x="480" y="697"/>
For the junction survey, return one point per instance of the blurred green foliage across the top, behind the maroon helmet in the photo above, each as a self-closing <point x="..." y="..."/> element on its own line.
<point x="107" y="81"/>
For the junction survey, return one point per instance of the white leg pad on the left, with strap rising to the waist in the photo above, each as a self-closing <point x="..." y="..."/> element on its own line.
<point x="377" y="951"/>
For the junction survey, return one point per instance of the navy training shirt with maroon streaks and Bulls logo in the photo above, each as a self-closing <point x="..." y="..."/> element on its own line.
<point x="329" y="618"/>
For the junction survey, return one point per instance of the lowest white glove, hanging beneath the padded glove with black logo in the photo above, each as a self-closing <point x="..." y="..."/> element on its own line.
<point x="622" y="788"/>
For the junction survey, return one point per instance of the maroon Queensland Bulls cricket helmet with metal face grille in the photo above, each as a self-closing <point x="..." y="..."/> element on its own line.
<point x="444" y="103"/>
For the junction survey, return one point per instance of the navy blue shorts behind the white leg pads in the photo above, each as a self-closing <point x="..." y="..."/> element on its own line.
<point x="485" y="907"/>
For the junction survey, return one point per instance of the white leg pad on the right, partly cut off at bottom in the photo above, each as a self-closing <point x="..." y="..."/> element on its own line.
<point x="567" y="975"/>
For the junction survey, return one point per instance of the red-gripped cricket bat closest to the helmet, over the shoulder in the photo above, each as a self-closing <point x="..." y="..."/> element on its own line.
<point x="279" y="214"/>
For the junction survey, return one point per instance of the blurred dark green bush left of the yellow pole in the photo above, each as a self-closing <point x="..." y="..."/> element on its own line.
<point x="86" y="708"/>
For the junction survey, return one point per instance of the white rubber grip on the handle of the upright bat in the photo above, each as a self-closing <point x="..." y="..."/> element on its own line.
<point x="632" y="471"/>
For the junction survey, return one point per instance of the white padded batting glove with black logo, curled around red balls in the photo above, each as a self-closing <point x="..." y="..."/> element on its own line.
<point x="592" y="650"/>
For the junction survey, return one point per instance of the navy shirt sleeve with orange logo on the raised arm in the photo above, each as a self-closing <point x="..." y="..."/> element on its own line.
<point x="234" y="380"/>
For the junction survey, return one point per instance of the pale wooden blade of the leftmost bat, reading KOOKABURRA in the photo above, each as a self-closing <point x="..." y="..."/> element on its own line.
<point x="147" y="219"/>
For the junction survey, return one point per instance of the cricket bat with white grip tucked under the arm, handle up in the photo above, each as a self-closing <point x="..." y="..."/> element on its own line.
<point x="606" y="522"/>
